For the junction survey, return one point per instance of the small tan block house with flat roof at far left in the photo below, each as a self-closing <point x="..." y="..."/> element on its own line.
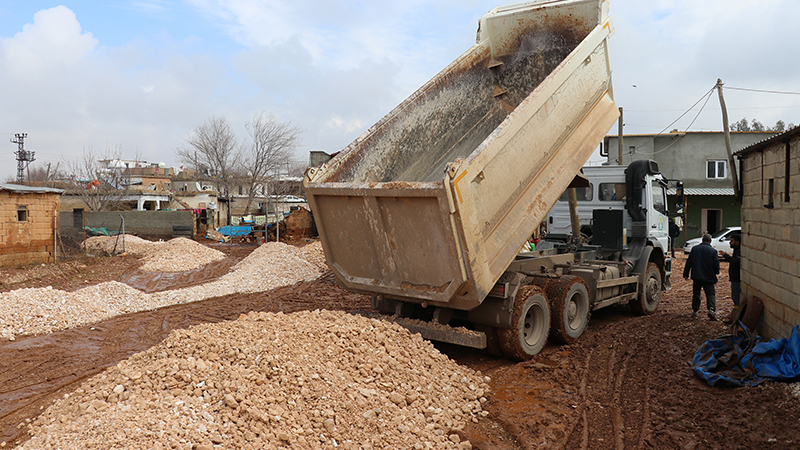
<point x="28" y="224"/>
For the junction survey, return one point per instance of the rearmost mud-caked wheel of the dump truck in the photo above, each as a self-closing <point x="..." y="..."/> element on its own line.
<point x="530" y="325"/>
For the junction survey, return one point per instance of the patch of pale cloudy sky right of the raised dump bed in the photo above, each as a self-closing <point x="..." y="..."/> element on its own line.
<point x="674" y="51"/>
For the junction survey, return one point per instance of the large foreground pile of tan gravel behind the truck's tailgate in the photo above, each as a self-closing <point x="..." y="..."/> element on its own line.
<point x="307" y="380"/>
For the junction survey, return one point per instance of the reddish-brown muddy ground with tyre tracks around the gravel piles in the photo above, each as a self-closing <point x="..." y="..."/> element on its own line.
<point x="625" y="384"/>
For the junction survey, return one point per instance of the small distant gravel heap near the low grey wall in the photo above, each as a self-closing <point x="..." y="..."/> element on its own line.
<point x="175" y="255"/>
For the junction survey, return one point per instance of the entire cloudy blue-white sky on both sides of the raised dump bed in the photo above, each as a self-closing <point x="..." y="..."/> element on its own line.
<point x="140" y="75"/>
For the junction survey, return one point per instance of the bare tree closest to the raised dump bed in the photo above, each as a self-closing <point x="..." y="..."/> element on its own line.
<point x="272" y="145"/>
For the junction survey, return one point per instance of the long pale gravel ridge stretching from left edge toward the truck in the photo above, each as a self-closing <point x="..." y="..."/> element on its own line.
<point x="44" y="310"/>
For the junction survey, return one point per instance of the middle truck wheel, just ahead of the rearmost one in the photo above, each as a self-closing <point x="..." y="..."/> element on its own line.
<point x="569" y="303"/>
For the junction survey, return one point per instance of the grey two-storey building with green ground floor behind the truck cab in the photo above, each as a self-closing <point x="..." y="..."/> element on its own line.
<point x="700" y="160"/>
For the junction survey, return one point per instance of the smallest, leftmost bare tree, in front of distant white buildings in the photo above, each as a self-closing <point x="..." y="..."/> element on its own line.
<point x="101" y="187"/>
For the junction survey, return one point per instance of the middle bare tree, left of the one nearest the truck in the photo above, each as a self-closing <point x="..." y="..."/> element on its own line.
<point x="212" y="150"/>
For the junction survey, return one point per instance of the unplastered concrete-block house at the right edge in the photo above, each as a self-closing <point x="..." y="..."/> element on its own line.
<point x="770" y="177"/>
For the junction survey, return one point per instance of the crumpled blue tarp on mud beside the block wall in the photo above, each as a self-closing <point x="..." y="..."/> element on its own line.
<point x="742" y="359"/>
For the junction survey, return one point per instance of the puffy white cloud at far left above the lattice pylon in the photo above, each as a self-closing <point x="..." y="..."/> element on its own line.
<point x="72" y="93"/>
